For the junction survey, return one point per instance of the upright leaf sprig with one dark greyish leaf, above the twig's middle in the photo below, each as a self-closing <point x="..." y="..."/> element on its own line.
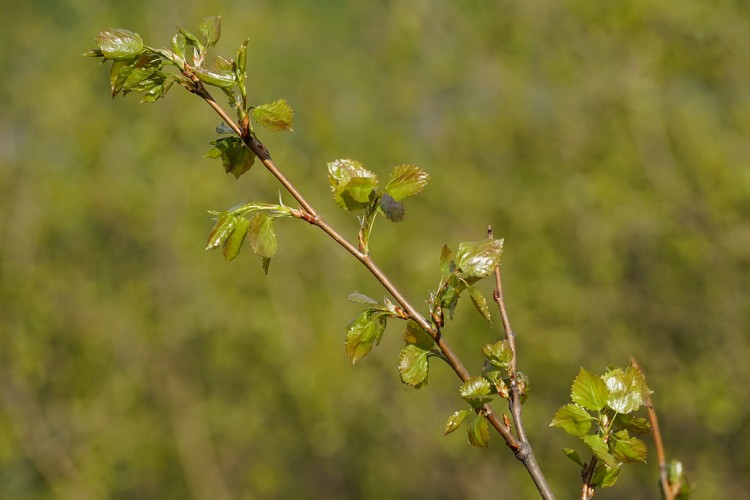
<point x="355" y="188"/>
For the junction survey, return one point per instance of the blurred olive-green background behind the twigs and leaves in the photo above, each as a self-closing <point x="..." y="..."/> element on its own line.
<point x="608" y="142"/>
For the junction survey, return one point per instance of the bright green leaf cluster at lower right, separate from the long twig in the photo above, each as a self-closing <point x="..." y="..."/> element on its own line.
<point x="601" y="415"/>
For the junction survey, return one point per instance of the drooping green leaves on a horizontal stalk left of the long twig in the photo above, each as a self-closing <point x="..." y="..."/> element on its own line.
<point x="251" y="221"/>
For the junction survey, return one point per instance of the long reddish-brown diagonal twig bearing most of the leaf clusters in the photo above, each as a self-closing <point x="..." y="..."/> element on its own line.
<point x="522" y="450"/>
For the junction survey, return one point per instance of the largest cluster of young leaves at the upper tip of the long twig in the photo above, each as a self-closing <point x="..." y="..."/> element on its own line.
<point x="137" y="67"/>
